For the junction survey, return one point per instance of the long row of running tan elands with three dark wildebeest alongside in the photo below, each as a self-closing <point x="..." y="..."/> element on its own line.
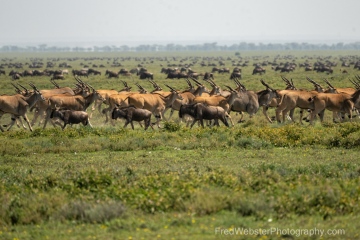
<point x="196" y="103"/>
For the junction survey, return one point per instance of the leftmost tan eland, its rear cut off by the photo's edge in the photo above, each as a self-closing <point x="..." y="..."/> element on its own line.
<point x="17" y="105"/>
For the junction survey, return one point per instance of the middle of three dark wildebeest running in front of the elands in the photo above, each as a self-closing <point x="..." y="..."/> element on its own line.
<point x="131" y="114"/>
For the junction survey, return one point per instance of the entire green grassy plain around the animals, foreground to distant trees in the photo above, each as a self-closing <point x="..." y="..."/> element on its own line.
<point x="180" y="183"/>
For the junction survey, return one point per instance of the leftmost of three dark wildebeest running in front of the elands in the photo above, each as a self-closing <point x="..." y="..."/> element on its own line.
<point x="71" y="117"/>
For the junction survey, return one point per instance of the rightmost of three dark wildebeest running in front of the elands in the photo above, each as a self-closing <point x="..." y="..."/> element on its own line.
<point x="200" y="111"/>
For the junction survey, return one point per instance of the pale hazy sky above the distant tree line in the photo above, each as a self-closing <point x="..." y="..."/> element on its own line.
<point x="135" y="22"/>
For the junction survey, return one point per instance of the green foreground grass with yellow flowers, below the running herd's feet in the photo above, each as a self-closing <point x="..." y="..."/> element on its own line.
<point x="177" y="182"/>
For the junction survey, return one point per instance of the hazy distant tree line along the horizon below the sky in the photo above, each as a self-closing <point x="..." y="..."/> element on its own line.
<point x="172" y="47"/>
